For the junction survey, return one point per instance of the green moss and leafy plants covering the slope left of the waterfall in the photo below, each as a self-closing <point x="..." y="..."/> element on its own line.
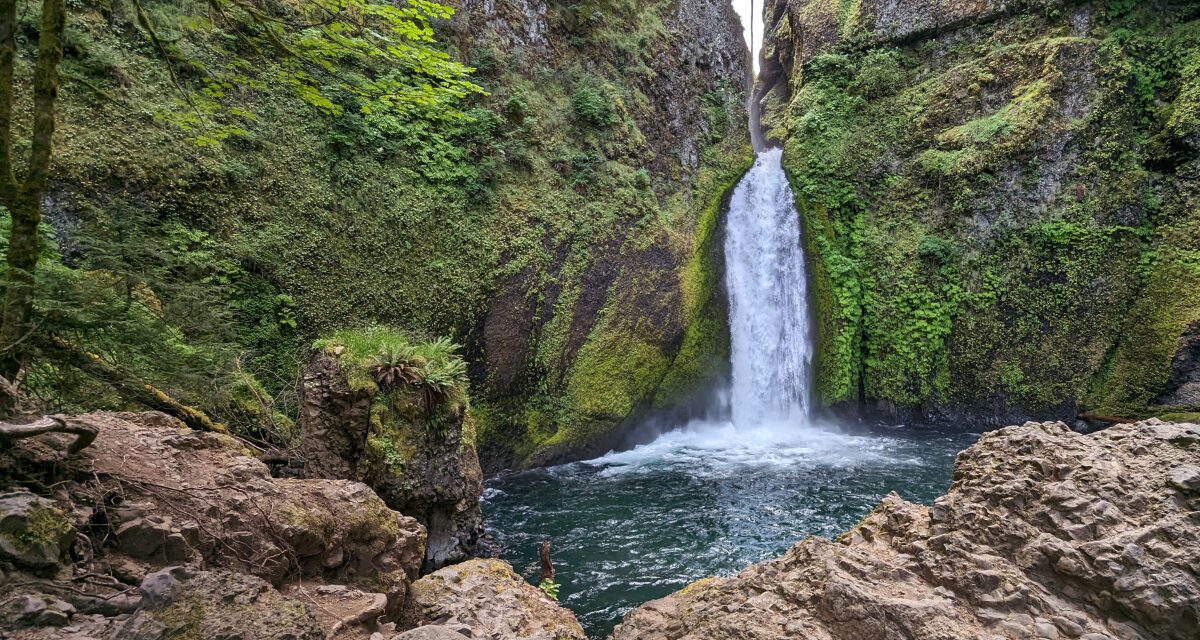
<point x="214" y="208"/>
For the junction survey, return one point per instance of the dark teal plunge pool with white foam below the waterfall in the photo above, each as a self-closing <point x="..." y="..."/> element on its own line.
<point x="707" y="500"/>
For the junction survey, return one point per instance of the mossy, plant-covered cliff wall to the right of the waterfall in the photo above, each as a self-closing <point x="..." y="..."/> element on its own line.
<point x="999" y="201"/>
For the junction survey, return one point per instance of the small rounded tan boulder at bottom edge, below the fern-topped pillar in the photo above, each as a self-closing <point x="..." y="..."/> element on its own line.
<point x="485" y="600"/>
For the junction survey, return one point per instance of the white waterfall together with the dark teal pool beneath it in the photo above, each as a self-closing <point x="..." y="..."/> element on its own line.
<point x="711" y="498"/>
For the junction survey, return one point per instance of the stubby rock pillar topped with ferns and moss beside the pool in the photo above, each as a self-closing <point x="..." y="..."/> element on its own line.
<point x="417" y="451"/>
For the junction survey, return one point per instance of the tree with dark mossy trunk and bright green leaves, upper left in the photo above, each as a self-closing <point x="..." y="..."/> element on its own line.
<point x="377" y="55"/>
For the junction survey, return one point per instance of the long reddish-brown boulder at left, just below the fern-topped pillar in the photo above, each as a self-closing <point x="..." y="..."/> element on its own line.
<point x="184" y="497"/>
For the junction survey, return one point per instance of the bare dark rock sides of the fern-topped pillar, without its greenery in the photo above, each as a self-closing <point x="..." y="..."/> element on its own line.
<point x="430" y="470"/>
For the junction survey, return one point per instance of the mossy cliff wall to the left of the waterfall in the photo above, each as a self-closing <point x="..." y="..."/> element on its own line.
<point x="562" y="230"/>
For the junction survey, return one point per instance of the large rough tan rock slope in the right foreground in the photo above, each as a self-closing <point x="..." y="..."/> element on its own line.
<point x="1045" y="534"/>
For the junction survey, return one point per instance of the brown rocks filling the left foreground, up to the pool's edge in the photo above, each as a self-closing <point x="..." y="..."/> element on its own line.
<point x="158" y="533"/>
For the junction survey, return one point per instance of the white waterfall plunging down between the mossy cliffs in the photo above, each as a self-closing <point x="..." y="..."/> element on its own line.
<point x="770" y="328"/>
